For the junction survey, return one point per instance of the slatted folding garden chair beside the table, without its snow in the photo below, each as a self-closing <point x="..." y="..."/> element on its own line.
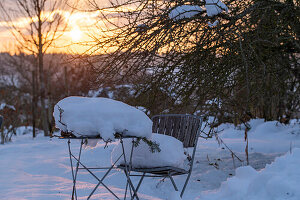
<point x="185" y="128"/>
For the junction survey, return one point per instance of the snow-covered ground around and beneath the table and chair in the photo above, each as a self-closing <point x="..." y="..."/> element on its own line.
<point x="39" y="168"/>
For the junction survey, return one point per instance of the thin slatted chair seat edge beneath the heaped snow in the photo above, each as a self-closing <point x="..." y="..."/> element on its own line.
<point x="163" y="171"/>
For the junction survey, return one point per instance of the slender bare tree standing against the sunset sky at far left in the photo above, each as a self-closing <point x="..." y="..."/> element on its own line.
<point x="45" y="24"/>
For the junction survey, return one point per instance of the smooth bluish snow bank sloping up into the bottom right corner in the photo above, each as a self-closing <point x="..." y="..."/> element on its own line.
<point x="279" y="180"/>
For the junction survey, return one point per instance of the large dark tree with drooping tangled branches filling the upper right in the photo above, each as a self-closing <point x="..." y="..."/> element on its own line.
<point x="247" y="60"/>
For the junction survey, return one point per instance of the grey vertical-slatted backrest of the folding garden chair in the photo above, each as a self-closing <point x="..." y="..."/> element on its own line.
<point x="185" y="128"/>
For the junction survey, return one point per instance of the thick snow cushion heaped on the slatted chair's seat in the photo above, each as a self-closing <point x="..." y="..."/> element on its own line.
<point x="171" y="154"/>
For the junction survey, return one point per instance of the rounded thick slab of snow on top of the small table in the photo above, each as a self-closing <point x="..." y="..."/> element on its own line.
<point x="85" y="116"/>
